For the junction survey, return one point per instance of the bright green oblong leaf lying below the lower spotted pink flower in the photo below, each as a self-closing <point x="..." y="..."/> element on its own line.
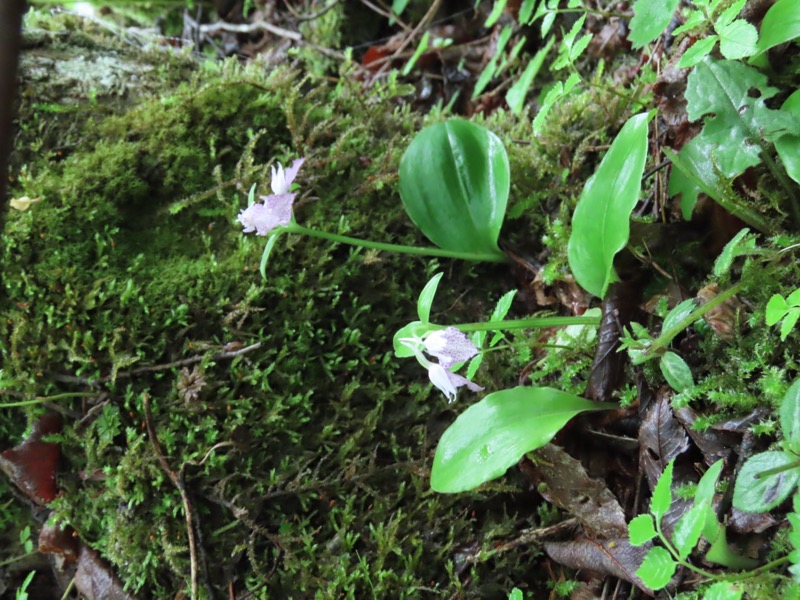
<point x="493" y="434"/>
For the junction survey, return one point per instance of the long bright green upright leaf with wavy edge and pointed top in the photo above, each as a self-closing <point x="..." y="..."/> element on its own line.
<point x="601" y="223"/>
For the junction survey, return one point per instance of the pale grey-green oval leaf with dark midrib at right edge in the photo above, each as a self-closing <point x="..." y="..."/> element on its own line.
<point x="754" y="493"/>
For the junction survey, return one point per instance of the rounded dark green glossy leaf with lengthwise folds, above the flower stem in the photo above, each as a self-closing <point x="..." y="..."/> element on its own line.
<point x="454" y="183"/>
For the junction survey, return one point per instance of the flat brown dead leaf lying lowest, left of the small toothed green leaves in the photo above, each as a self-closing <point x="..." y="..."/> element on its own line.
<point x="611" y="557"/>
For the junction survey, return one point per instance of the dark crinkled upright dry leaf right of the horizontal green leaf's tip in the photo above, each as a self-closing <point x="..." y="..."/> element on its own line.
<point x="661" y="437"/>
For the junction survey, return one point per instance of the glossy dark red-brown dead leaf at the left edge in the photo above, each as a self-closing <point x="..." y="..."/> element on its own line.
<point x="32" y="464"/>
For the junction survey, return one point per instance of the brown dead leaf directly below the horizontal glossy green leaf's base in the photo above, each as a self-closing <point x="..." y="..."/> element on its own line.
<point x="569" y="487"/>
